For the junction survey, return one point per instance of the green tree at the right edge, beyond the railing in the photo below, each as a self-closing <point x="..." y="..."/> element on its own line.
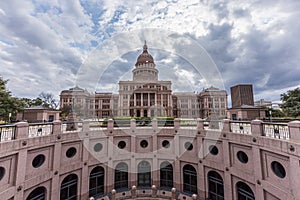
<point x="291" y="102"/>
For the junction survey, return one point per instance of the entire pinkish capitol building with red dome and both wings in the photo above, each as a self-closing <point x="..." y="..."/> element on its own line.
<point x="146" y="96"/>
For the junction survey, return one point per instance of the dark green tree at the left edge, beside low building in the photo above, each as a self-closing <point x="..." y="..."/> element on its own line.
<point x="9" y="106"/>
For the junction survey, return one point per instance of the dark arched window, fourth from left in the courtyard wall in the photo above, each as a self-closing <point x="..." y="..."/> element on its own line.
<point x="121" y="176"/>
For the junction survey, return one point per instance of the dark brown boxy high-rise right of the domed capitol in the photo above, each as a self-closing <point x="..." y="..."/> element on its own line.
<point x="242" y="94"/>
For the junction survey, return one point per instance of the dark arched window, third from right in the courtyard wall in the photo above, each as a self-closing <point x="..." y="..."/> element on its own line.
<point x="189" y="179"/>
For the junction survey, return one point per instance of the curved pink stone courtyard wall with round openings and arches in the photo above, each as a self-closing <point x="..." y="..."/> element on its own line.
<point x="262" y="144"/>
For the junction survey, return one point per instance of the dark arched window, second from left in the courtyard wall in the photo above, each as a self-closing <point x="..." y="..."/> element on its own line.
<point x="68" y="188"/>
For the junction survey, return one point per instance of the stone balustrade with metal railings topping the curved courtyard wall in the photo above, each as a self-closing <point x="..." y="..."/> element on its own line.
<point x="290" y="131"/>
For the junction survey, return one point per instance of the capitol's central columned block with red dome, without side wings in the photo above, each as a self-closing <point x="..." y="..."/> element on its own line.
<point x="145" y="95"/>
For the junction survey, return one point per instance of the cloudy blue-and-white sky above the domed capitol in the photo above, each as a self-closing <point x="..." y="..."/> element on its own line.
<point x="49" y="45"/>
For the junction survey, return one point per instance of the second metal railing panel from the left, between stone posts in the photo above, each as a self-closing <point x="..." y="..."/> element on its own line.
<point x="40" y="129"/>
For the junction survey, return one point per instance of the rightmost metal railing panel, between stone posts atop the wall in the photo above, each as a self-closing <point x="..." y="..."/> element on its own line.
<point x="276" y="130"/>
